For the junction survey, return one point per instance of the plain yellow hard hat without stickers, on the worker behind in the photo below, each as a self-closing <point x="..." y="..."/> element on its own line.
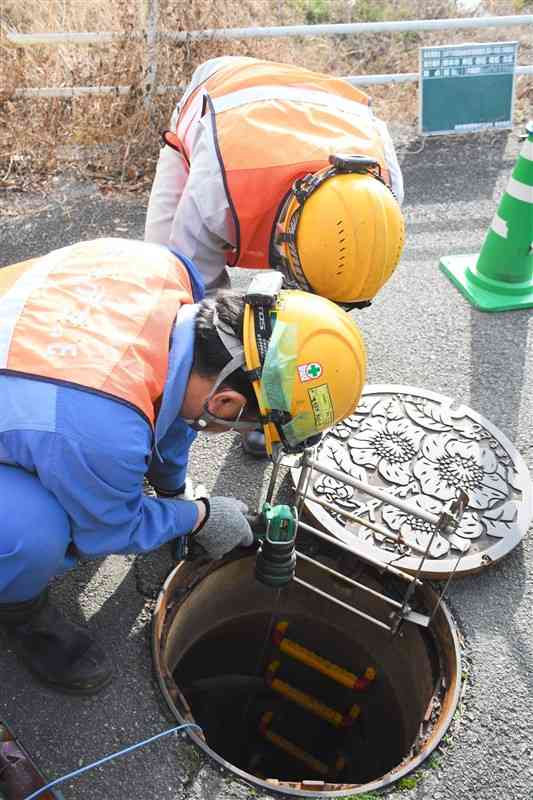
<point x="340" y="232"/>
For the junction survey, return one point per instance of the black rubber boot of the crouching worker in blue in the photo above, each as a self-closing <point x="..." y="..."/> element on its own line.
<point x="57" y="651"/>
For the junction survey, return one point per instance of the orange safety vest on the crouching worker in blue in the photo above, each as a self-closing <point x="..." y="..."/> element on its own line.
<point x="97" y="315"/>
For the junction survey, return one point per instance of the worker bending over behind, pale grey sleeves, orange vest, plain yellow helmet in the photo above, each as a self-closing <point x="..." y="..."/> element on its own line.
<point x="273" y="166"/>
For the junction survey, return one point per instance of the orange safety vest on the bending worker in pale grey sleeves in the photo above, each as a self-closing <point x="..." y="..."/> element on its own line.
<point x="274" y="123"/>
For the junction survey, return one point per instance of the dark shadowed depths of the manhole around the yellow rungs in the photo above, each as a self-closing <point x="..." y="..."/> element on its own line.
<point x="219" y="677"/>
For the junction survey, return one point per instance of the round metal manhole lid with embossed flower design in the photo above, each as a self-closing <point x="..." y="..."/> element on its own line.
<point x="420" y="447"/>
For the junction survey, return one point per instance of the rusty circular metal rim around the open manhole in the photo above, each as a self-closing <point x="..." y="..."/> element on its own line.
<point x="438" y="733"/>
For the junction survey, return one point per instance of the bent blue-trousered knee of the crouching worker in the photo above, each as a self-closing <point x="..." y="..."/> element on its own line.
<point x="35" y="535"/>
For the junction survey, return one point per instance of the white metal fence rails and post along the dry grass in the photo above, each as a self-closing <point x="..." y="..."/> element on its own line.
<point x="151" y="35"/>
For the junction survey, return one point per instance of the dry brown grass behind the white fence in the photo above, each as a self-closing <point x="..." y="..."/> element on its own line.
<point x="113" y="137"/>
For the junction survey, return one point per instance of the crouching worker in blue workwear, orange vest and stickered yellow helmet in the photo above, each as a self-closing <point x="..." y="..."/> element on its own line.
<point x="110" y="362"/>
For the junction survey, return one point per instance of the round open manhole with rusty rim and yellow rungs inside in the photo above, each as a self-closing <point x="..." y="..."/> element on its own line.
<point x="264" y="673"/>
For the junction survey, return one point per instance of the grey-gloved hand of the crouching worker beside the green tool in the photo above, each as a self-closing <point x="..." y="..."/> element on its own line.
<point x="225" y="527"/>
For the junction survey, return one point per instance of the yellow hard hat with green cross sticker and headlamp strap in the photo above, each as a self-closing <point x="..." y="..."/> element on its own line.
<point x="307" y="362"/>
